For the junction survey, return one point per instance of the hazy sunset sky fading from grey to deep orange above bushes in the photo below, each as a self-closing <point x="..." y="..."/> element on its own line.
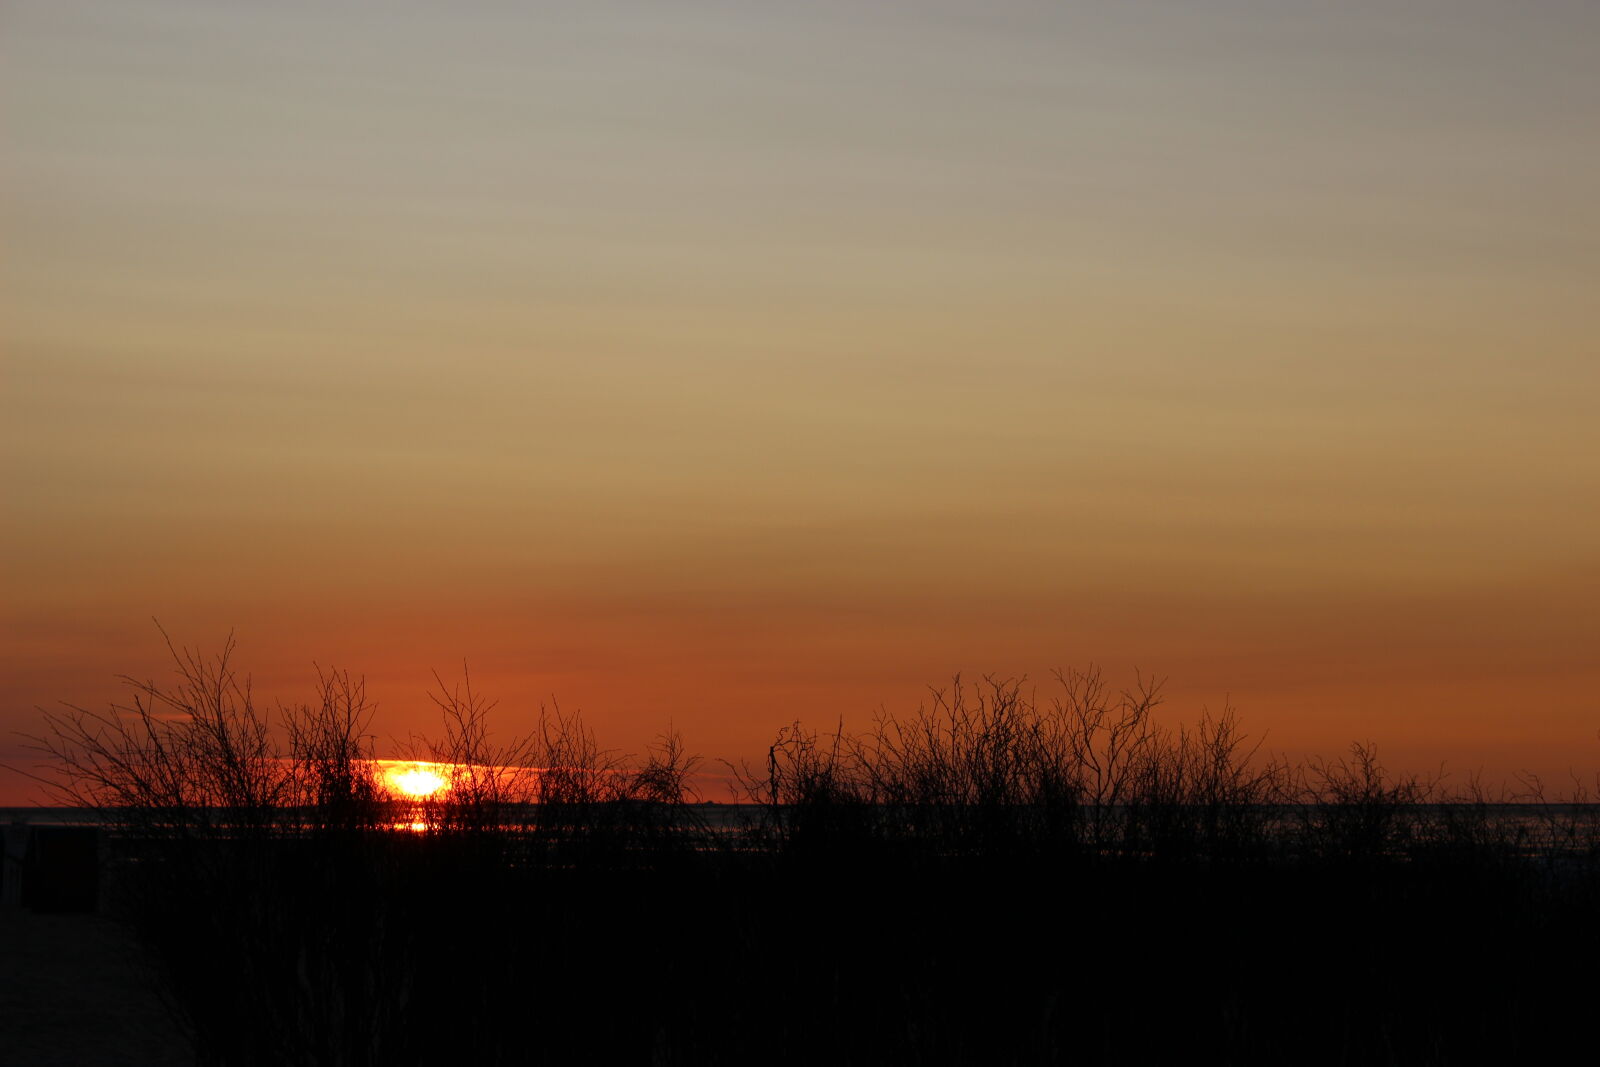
<point x="713" y="366"/>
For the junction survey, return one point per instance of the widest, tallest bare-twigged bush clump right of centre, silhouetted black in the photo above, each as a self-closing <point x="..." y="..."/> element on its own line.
<point x="990" y="769"/>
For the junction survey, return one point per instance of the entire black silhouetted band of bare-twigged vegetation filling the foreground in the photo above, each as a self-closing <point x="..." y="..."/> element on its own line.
<point x="996" y="879"/>
